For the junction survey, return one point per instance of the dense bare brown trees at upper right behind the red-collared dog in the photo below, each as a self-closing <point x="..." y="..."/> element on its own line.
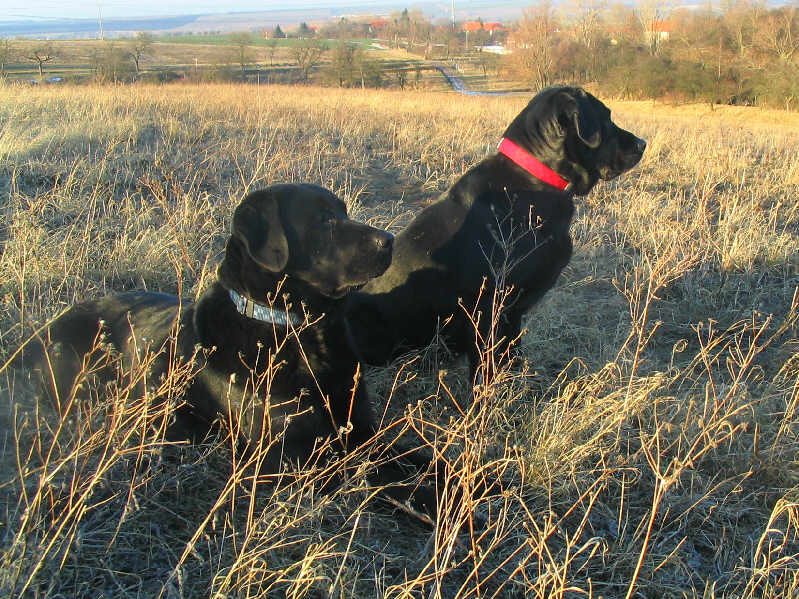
<point x="743" y="53"/>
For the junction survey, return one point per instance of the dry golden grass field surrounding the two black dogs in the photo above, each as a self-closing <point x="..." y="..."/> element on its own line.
<point x="644" y="443"/>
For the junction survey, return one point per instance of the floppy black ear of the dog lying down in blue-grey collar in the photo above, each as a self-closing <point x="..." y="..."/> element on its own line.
<point x="257" y="223"/>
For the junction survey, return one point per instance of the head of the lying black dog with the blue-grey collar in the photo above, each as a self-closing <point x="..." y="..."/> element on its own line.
<point x="302" y="231"/>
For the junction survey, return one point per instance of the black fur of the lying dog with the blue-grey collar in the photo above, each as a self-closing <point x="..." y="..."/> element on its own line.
<point x="299" y="233"/>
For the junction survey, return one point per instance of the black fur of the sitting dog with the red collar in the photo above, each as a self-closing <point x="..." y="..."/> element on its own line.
<point x="495" y="215"/>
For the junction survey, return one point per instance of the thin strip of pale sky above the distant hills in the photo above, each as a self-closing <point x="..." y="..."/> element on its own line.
<point x="90" y="9"/>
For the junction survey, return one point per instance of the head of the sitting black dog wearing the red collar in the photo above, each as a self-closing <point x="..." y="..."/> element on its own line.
<point x="570" y="131"/>
